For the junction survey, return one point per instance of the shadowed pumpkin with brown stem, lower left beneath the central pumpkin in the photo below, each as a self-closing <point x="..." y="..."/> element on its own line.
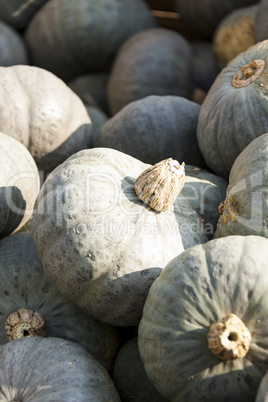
<point x="31" y="306"/>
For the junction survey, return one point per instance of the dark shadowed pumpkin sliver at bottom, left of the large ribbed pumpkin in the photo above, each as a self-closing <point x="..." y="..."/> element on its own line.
<point x="130" y="378"/>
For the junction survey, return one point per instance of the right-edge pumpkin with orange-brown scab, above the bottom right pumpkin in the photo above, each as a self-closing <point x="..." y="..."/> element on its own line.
<point x="244" y="210"/>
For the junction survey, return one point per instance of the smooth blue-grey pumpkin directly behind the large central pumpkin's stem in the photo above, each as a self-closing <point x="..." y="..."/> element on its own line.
<point x="154" y="128"/>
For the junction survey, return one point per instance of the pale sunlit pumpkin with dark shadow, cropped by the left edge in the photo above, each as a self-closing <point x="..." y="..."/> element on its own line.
<point x="19" y="185"/>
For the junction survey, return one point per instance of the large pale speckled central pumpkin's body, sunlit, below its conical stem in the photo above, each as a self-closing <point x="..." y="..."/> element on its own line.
<point x="92" y="232"/>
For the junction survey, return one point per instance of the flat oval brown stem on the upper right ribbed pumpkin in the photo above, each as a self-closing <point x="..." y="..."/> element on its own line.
<point x="248" y="73"/>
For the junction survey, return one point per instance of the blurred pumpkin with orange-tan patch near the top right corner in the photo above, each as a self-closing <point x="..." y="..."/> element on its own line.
<point x="234" y="34"/>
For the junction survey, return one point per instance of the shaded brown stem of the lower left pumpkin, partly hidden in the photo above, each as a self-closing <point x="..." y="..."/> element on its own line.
<point x="24" y="323"/>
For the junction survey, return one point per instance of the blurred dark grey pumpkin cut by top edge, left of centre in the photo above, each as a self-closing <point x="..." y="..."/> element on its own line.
<point x="70" y="37"/>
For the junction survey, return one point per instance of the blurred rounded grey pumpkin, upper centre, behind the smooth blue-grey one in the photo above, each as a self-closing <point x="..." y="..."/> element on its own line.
<point x="156" y="61"/>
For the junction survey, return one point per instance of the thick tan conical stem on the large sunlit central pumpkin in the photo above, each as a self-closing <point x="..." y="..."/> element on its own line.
<point x="159" y="185"/>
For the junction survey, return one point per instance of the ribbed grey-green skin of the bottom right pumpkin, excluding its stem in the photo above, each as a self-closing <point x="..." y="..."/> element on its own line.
<point x="193" y="291"/>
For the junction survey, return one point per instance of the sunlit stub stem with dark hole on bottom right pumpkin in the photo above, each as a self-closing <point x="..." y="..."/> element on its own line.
<point x="229" y="338"/>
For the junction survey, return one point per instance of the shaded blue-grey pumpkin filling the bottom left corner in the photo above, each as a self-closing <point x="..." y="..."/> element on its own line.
<point x="57" y="370"/>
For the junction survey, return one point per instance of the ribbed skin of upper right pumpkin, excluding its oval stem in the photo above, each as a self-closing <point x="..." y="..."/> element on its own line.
<point x="230" y="118"/>
